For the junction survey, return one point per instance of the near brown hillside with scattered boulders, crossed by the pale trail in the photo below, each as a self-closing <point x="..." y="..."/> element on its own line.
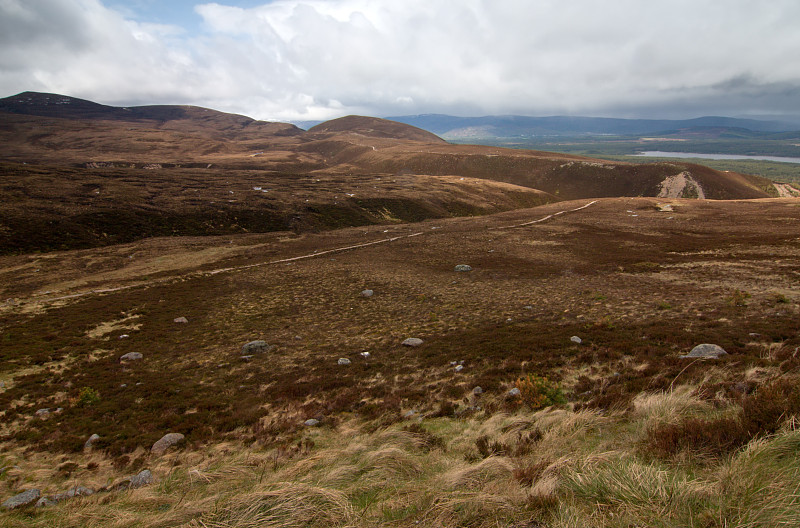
<point x="621" y="428"/>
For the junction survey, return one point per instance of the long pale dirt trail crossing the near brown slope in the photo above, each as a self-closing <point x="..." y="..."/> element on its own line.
<point x="100" y="291"/>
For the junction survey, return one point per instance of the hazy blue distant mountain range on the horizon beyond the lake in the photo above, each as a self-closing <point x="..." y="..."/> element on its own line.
<point x="515" y="126"/>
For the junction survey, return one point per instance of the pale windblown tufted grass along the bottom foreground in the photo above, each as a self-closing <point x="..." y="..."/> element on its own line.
<point x="584" y="468"/>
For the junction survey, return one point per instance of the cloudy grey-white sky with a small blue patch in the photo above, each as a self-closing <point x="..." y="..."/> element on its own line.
<point x="319" y="59"/>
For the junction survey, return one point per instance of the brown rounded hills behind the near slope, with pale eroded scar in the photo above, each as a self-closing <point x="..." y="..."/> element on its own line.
<point x="80" y="174"/>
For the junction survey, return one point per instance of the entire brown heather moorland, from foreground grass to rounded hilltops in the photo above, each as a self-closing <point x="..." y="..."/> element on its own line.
<point x="553" y="297"/>
